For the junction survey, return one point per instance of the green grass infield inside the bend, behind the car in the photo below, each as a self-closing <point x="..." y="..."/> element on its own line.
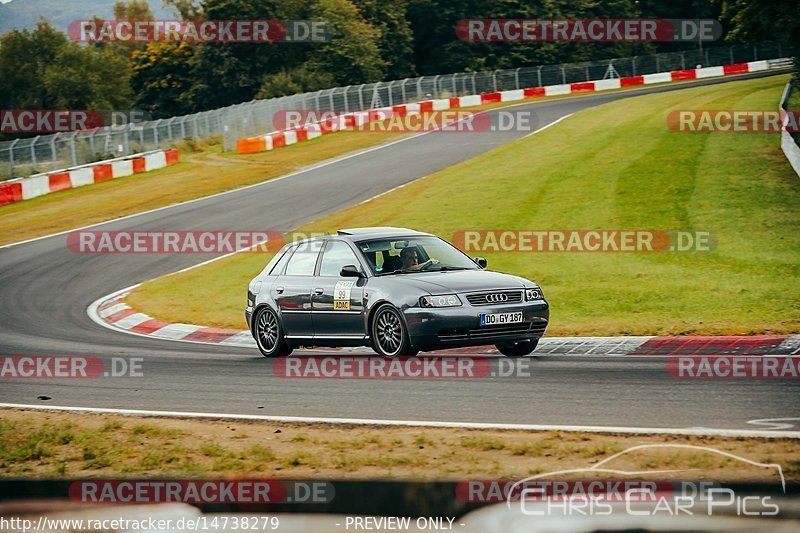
<point x="616" y="166"/>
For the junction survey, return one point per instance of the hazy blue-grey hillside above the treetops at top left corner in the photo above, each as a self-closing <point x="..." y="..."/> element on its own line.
<point x="19" y="14"/>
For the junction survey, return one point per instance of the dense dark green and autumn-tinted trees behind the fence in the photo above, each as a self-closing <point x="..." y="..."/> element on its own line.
<point x="374" y="40"/>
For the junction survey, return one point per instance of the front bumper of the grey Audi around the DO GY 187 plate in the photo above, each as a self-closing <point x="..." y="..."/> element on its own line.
<point x="454" y="327"/>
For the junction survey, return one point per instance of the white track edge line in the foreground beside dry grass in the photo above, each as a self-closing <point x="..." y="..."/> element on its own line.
<point x="418" y="423"/>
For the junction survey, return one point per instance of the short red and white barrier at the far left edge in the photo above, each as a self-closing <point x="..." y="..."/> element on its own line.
<point x="20" y="189"/>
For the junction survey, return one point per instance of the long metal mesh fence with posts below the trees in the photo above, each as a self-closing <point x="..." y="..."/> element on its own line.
<point x="23" y="157"/>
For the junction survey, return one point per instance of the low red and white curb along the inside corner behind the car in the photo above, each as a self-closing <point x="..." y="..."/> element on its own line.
<point x="111" y="311"/>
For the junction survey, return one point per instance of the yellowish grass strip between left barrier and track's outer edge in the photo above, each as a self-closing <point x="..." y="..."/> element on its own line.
<point x="204" y="170"/>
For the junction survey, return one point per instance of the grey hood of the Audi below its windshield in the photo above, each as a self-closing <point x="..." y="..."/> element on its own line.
<point x="463" y="281"/>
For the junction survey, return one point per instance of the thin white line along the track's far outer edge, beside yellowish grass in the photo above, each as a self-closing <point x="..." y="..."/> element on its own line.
<point x="355" y="154"/>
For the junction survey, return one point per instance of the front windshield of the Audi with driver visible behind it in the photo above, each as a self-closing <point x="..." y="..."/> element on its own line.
<point x="414" y="254"/>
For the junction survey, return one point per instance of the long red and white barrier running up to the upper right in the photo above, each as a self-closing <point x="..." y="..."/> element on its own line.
<point x="276" y="139"/>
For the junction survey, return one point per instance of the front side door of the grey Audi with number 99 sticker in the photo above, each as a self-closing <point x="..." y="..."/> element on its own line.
<point x="337" y="302"/>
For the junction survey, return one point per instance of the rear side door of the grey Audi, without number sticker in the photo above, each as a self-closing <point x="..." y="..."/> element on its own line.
<point x="292" y="290"/>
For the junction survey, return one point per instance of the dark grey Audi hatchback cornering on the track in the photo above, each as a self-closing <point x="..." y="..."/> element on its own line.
<point x="396" y="290"/>
